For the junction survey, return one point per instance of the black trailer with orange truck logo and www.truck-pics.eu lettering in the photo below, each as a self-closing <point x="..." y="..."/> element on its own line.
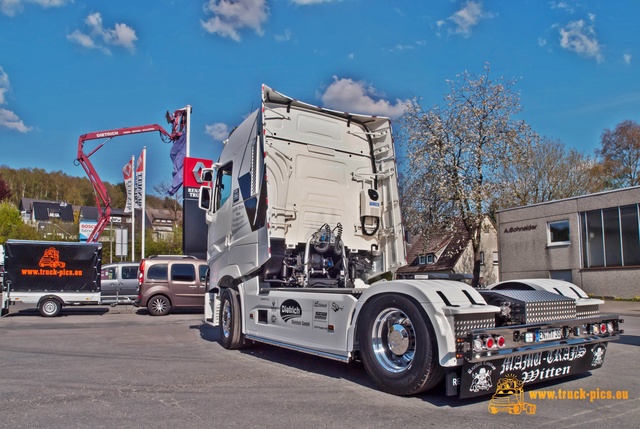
<point x="50" y="274"/>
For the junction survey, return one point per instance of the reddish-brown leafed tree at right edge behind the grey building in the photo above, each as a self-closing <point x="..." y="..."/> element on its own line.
<point x="619" y="154"/>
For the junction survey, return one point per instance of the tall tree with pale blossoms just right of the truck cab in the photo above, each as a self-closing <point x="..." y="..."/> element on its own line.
<point x="455" y="154"/>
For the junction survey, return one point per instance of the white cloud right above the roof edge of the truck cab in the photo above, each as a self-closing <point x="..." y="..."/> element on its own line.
<point x="358" y="97"/>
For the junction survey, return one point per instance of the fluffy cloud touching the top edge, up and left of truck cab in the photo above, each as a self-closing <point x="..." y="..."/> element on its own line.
<point x="230" y="16"/>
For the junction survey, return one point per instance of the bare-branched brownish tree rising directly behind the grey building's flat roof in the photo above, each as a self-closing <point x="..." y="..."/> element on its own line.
<point x="546" y="170"/>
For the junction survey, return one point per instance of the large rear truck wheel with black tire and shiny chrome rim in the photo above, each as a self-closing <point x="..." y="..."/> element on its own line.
<point x="398" y="345"/>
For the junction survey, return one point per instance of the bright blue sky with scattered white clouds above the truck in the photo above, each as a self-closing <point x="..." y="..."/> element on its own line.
<point x="72" y="67"/>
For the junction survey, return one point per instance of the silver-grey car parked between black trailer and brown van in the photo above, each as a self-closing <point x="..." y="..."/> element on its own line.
<point x="119" y="283"/>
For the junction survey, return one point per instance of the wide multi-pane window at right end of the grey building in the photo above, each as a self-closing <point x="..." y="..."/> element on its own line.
<point x="610" y="237"/>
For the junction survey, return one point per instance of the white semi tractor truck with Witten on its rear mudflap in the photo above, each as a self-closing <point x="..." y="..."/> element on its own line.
<point x="304" y="213"/>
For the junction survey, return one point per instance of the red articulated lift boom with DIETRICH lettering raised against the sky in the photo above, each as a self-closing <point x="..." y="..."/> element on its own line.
<point x="178" y="123"/>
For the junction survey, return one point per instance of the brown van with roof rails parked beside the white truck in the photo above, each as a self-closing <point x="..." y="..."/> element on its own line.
<point x="167" y="282"/>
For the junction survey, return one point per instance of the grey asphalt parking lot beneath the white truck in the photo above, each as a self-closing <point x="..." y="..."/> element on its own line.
<point x="103" y="367"/>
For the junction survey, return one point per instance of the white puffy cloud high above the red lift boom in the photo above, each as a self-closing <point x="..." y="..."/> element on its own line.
<point x="99" y="37"/>
